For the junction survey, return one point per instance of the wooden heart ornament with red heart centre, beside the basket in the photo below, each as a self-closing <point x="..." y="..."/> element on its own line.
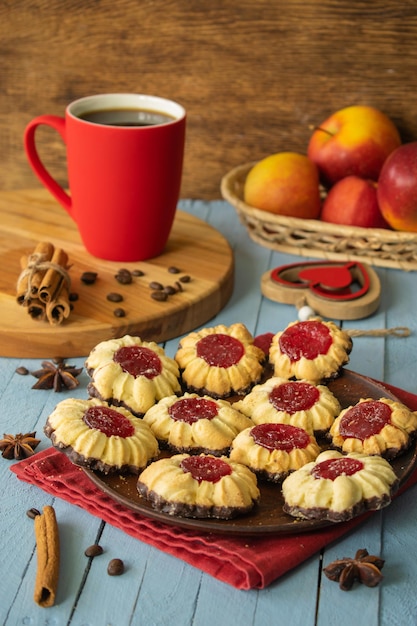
<point x="336" y="290"/>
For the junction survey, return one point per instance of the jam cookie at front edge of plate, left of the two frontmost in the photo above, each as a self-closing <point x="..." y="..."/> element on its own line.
<point x="201" y="486"/>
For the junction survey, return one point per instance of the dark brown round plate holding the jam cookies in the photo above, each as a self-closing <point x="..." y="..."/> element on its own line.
<point x="267" y="516"/>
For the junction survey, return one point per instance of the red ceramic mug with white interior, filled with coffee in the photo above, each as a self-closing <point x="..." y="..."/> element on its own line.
<point x="124" y="160"/>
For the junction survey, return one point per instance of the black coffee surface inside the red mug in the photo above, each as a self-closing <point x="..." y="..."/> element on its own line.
<point x="126" y="117"/>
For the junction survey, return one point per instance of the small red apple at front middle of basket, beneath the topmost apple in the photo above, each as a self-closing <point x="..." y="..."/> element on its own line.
<point x="353" y="201"/>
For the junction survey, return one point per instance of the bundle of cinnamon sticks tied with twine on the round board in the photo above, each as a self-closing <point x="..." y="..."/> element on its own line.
<point x="44" y="284"/>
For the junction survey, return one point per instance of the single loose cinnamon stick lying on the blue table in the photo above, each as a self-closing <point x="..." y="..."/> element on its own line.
<point x="47" y="548"/>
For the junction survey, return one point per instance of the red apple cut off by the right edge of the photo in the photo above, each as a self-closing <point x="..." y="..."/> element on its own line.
<point x="397" y="188"/>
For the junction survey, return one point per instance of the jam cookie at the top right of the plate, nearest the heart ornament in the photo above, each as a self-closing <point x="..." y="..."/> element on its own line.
<point x="312" y="350"/>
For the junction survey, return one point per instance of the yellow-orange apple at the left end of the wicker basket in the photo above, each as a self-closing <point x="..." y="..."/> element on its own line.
<point x="285" y="183"/>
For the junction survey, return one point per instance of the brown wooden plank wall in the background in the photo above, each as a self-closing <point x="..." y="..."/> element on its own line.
<point x="253" y="75"/>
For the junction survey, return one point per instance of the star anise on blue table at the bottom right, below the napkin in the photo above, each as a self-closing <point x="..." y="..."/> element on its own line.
<point x="364" y="567"/>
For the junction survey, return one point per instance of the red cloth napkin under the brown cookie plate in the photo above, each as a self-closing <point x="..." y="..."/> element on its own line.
<point x="243" y="562"/>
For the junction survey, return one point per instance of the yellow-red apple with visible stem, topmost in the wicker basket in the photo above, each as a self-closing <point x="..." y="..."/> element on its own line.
<point x="355" y="140"/>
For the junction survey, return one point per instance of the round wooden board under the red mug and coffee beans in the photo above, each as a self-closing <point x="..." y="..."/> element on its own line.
<point x="194" y="247"/>
